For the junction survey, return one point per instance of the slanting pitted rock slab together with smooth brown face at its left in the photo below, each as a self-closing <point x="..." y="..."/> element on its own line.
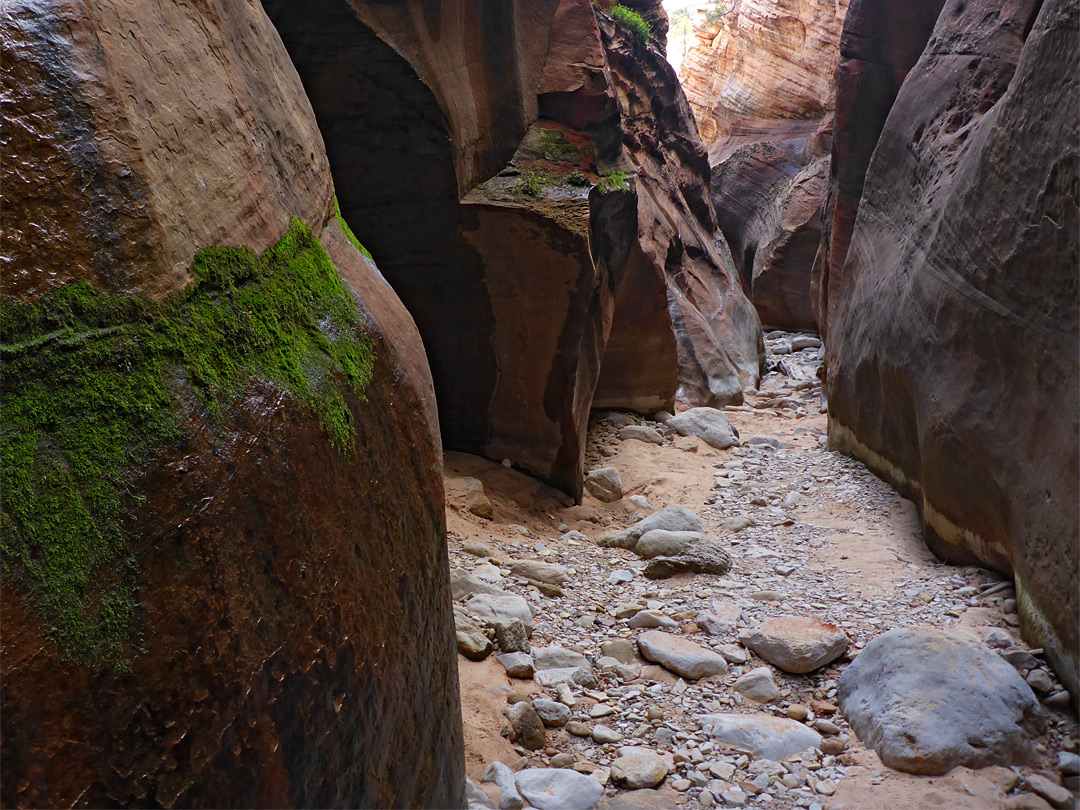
<point x="676" y="249"/>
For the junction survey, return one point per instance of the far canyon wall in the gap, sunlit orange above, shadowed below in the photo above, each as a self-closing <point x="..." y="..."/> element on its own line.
<point x="761" y="83"/>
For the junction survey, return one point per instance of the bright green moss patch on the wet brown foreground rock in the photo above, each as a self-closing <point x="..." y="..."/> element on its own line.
<point x="89" y="397"/>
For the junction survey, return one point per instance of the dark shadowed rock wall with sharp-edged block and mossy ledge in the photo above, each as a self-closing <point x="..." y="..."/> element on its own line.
<point x="511" y="307"/>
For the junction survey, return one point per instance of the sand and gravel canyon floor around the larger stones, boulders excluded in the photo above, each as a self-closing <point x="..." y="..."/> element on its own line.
<point x="829" y="541"/>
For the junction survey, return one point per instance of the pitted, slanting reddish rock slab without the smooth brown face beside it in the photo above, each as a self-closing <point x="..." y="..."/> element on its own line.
<point x="719" y="335"/>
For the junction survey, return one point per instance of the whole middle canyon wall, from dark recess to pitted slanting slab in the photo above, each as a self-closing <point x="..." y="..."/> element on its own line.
<point x="464" y="143"/>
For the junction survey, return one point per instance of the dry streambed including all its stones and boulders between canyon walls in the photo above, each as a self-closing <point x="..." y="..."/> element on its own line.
<point x="724" y="688"/>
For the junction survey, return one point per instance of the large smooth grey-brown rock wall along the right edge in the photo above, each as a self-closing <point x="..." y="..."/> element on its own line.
<point x="952" y="342"/>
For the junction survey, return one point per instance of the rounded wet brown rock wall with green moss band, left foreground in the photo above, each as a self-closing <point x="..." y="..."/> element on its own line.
<point x="225" y="578"/>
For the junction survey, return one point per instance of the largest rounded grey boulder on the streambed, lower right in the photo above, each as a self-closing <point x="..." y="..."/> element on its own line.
<point x="928" y="701"/>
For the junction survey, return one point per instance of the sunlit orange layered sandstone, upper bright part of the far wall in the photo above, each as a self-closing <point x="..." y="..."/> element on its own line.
<point x="761" y="66"/>
